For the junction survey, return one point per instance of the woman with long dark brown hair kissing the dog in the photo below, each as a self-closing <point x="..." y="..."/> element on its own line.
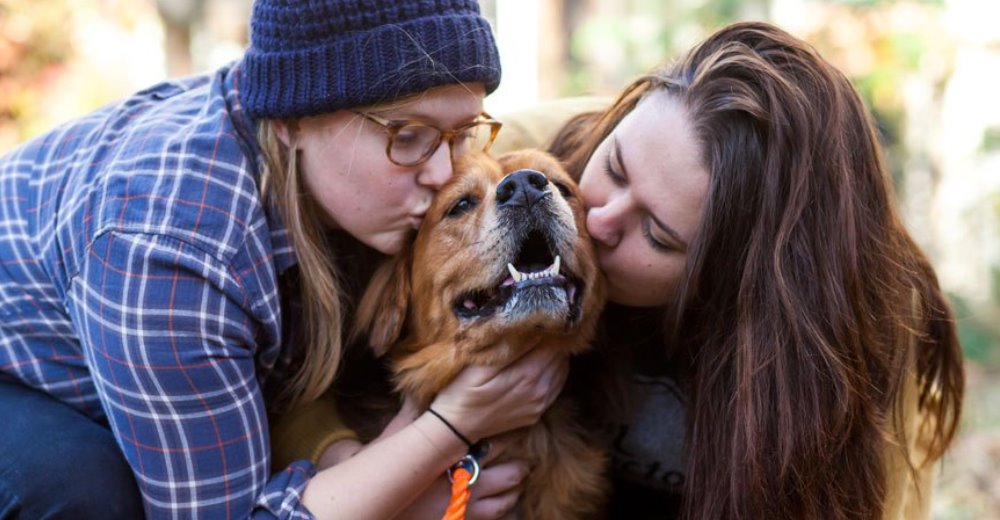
<point x="780" y="345"/>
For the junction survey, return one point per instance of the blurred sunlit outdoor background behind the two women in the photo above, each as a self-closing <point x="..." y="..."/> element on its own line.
<point x="929" y="70"/>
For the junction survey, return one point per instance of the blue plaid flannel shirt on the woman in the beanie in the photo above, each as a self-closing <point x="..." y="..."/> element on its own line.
<point x="138" y="283"/>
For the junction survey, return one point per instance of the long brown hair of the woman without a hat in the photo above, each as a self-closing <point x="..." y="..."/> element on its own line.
<point x="805" y="305"/>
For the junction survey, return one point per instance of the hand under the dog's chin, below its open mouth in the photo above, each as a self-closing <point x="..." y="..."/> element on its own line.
<point x="484" y="401"/>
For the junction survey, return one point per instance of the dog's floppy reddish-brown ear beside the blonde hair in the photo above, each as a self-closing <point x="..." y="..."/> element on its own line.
<point x="381" y="315"/>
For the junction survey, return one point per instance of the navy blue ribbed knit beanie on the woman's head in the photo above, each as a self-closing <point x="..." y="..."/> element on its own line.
<point x="308" y="57"/>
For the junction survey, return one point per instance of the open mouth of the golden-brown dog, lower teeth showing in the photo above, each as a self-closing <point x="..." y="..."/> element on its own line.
<point x="535" y="282"/>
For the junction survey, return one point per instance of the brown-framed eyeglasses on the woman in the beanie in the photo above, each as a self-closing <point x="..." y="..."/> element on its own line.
<point x="411" y="142"/>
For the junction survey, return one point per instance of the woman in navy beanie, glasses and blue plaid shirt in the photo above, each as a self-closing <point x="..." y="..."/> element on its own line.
<point x="179" y="266"/>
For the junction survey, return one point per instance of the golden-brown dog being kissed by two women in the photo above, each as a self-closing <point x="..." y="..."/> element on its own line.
<point x="498" y="257"/>
